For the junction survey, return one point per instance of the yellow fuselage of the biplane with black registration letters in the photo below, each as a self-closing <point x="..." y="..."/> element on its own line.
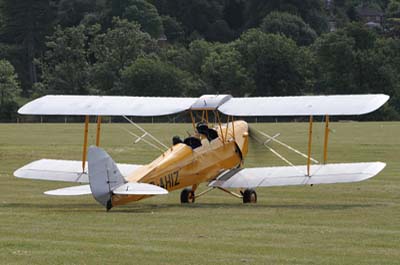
<point x="181" y="166"/>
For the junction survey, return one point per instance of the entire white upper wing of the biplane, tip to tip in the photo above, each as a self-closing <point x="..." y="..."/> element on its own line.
<point x="156" y="106"/>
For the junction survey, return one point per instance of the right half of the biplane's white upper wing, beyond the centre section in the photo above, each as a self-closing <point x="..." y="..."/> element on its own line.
<point x="304" y="105"/>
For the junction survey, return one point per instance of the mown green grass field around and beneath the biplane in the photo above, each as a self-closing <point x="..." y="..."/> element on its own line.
<point x="356" y="223"/>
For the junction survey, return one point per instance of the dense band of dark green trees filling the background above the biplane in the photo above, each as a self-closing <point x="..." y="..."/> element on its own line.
<point x="193" y="47"/>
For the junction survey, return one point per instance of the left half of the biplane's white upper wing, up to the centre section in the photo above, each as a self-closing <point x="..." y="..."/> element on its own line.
<point x="106" y="105"/>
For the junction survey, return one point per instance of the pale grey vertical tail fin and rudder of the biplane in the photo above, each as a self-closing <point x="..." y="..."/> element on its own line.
<point x="104" y="176"/>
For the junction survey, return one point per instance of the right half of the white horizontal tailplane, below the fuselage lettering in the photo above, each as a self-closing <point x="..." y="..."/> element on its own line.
<point x="134" y="188"/>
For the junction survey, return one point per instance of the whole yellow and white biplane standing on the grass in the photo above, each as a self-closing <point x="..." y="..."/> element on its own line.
<point x="214" y="153"/>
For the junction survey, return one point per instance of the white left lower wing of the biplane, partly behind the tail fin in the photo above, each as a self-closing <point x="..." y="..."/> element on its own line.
<point x="62" y="170"/>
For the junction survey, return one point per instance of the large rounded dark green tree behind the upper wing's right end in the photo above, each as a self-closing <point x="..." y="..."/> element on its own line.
<point x="347" y="61"/>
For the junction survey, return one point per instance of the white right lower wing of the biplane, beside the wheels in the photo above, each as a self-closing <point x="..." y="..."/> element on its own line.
<point x="285" y="176"/>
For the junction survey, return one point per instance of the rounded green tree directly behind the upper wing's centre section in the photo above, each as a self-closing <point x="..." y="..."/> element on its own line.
<point x="224" y="73"/>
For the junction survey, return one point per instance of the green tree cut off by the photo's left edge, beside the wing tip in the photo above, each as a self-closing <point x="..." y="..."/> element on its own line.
<point x="9" y="90"/>
